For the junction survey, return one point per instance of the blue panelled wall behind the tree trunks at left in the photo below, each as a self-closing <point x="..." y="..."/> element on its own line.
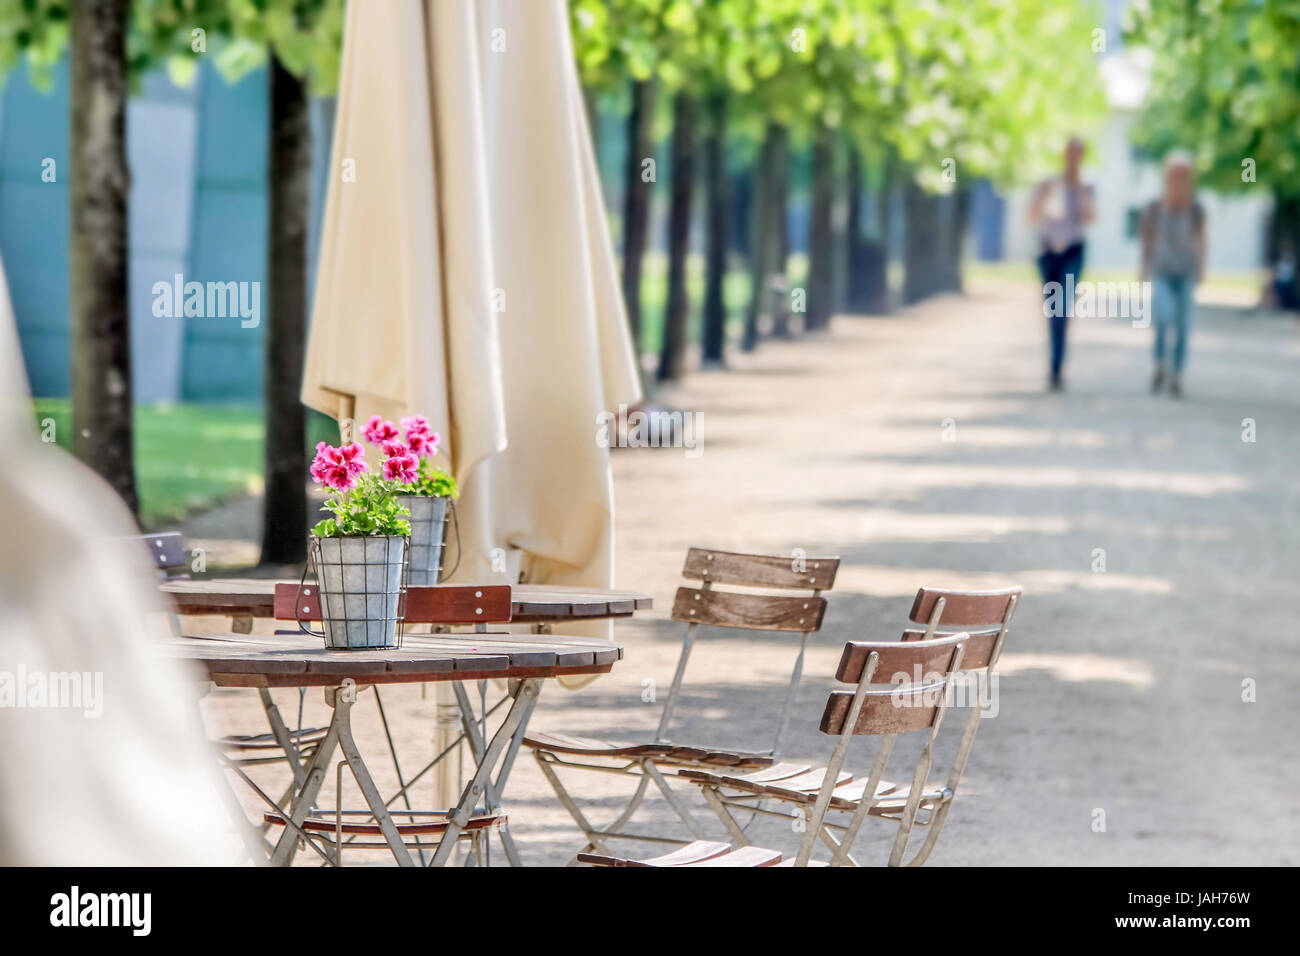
<point x="198" y="207"/>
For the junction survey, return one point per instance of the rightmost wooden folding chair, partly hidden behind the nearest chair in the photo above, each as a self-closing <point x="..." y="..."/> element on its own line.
<point x="986" y="617"/>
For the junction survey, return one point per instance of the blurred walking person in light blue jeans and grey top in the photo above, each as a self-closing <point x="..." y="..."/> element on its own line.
<point x="1173" y="258"/>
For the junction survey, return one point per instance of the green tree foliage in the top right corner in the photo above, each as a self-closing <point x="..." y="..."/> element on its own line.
<point x="1225" y="85"/>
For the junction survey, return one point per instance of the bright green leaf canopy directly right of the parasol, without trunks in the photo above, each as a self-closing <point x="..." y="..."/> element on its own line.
<point x="994" y="86"/>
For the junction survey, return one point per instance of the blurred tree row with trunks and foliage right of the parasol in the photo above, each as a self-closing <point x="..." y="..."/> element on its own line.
<point x="920" y="96"/>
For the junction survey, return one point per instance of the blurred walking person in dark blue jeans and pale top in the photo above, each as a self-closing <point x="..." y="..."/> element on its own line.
<point x="1063" y="209"/>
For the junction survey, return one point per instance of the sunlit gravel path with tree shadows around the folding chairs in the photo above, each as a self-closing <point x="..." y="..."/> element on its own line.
<point x="1156" y="547"/>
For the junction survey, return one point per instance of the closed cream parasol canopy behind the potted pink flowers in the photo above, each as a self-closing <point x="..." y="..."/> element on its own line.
<point x="467" y="274"/>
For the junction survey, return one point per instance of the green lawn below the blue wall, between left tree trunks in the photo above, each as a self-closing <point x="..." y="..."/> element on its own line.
<point x="189" y="457"/>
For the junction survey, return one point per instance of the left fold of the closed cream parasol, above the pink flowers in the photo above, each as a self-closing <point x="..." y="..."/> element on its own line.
<point x="402" y="319"/>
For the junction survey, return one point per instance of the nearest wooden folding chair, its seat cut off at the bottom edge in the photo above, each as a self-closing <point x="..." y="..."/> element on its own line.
<point x="920" y="673"/>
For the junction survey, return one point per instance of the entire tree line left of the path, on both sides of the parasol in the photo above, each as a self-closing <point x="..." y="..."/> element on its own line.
<point x="920" y="96"/>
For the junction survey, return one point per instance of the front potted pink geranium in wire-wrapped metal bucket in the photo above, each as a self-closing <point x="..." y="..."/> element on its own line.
<point x="361" y="553"/>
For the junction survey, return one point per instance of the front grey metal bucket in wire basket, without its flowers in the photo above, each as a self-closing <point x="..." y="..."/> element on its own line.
<point x="362" y="583"/>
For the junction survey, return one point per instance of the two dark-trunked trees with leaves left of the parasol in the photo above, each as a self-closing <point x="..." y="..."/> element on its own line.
<point x="111" y="45"/>
